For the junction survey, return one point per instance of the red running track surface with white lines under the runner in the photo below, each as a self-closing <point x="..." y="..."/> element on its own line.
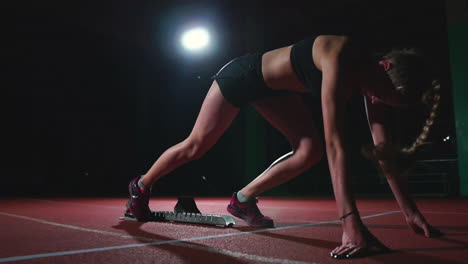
<point x="89" y="231"/>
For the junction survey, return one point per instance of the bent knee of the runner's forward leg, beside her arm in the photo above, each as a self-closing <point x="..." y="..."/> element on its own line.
<point x="308" y="153"/>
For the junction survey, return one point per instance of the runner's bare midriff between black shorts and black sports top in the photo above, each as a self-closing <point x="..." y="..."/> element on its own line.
<point x="278" y="72"/>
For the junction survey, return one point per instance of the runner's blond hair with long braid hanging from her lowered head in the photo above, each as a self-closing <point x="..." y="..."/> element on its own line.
<point x="410" y="77"/>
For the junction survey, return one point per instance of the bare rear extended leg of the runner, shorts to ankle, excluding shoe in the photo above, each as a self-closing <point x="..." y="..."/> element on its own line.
<point x="215" y="116"/>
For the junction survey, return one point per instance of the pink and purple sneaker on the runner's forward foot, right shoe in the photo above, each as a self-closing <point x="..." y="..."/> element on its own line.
<point x="249" y="212"/>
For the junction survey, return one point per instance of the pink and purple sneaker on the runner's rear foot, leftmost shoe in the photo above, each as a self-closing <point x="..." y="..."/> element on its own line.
<point x="137" y="205"/>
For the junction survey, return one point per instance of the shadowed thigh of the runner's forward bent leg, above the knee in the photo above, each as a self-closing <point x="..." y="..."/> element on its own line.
<point x="290" y="115"/>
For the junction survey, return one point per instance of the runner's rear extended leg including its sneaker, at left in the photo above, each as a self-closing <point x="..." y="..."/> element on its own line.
<point x="215" y="116"/>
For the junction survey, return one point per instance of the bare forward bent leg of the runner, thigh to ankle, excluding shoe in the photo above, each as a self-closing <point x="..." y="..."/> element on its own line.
<point x="289" y="115"/>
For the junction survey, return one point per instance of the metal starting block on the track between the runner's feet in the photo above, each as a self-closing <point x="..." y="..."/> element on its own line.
<point x="186" y="211"/>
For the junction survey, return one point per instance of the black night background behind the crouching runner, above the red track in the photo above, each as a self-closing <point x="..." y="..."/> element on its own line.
<point x="97" y="90"/>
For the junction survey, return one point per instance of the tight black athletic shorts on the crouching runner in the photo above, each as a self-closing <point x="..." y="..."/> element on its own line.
<point x="241" y="81"/>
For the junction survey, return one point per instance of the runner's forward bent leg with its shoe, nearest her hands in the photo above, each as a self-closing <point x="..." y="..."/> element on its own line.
<point x="292" y="118"/>
